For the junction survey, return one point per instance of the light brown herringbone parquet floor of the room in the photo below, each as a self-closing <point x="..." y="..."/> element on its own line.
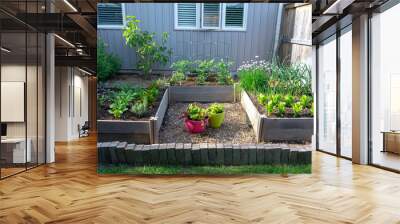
<point x="70" y="191"/>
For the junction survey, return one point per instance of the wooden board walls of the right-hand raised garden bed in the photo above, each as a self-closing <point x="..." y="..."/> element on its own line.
<point x="277" y="129"/>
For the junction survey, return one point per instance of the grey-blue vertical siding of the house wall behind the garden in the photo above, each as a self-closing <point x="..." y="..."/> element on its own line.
<point x="238" y="46"/>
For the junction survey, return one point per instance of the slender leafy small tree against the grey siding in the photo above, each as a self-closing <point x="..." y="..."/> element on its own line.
<point x="148" y="50"/>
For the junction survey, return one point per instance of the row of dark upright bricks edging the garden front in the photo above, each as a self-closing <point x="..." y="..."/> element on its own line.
<point x="209" y="154"/>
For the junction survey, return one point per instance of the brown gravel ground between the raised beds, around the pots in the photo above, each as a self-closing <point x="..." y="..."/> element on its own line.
<point x="235" y="129"/>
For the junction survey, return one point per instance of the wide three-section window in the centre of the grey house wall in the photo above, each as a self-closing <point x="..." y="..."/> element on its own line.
<point x="218" y="16"/>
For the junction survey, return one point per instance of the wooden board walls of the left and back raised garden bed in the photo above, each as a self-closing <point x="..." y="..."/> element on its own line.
<point x="147" y="131"/>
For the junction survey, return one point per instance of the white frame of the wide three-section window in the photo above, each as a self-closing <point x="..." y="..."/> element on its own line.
<point x="199" y="19"/>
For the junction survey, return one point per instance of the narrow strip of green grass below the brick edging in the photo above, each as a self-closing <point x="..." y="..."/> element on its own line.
<point x="205" y="170"/>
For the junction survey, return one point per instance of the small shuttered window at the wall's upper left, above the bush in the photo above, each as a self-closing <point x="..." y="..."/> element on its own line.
<point x="110" y="15"/>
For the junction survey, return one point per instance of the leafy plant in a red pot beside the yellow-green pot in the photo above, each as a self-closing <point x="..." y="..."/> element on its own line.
<point x="195" y="119"/>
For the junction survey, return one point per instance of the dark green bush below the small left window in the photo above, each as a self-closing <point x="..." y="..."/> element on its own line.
<point x="107" y="64"/>
